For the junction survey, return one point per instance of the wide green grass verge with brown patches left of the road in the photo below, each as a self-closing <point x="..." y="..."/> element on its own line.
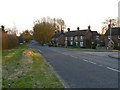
<point x="24" y="67"/>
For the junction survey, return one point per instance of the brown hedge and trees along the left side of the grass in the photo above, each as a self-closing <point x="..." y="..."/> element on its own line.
<point x="11" y="40"/>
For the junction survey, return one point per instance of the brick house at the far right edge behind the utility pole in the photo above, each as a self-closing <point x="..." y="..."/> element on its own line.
<point x="115" y="36"/>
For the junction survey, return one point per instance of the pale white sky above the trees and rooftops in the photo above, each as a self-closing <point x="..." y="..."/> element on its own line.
<point x="76" y="13"/>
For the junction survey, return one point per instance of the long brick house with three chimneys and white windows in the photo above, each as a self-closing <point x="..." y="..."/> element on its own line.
<point x="81" y="38"/>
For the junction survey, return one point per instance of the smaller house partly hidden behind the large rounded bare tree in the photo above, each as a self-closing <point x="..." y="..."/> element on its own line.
<point x="58" y="39"/>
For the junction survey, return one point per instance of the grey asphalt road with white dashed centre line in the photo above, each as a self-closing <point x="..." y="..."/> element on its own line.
<point x="81" y="69"/>
